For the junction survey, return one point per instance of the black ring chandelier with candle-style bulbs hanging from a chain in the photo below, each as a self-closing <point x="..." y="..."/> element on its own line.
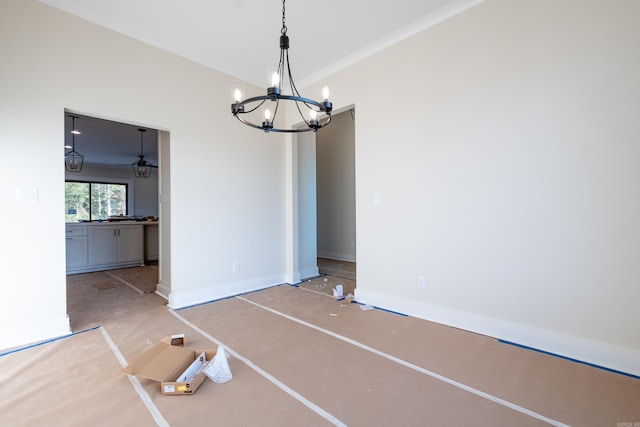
<point x="271" y="101"/>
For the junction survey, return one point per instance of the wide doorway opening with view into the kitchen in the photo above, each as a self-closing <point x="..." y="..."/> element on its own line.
<point x="123" y="252"/>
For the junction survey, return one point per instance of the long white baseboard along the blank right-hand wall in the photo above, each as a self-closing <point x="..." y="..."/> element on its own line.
<point x="597" y="353"/>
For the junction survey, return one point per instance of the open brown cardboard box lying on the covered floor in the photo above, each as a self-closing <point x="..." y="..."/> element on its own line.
<point x="165" y="363"/>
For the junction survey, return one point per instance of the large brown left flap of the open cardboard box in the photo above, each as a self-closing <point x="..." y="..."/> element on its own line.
<point x="161" y="363"/>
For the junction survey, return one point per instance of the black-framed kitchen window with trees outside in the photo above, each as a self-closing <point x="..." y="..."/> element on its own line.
<point x="90" y="201"/>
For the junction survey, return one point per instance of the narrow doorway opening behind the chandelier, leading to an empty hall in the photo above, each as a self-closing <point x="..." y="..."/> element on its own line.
<point x="326" y="200"/>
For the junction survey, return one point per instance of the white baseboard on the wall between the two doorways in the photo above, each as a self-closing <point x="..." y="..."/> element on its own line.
<point x="178" y="299"/>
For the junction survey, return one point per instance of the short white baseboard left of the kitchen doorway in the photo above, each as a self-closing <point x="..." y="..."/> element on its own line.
<point x="21" y="333"/>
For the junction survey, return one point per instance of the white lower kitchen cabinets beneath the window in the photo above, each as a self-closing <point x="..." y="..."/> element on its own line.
<point x="105" y="246"/>
